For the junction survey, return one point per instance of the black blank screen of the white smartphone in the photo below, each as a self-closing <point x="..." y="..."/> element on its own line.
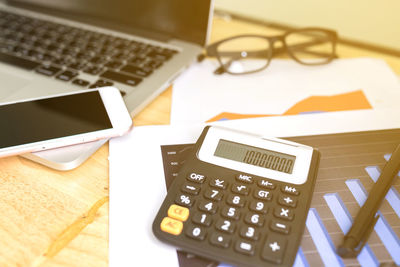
<point x="44" y="119"/>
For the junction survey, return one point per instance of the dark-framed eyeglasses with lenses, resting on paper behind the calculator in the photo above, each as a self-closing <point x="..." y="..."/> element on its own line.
<point x="307" y="46"/>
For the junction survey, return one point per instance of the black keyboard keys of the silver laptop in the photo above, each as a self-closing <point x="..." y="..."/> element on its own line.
<point x="63" y="52"/>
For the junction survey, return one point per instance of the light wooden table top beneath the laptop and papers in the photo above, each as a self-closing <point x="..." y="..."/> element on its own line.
<point x="53" y="218"/>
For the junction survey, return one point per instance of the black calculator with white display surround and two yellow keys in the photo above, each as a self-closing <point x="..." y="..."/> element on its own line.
<point x="240" y="199"/>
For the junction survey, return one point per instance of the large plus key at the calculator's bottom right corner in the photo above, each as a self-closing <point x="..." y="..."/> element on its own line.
<point x="274" y="248"/>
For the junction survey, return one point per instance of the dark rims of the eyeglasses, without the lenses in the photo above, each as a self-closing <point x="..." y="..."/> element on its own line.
<point x="211" y="50"/>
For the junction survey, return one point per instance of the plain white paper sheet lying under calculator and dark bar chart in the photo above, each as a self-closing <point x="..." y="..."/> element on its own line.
<point x="137" y="182"/>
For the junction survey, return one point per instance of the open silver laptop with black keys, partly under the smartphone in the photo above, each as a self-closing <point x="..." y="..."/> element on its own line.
<point x="54" y="46"/>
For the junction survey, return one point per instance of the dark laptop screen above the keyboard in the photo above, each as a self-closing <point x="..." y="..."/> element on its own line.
<point x="182" y="19"/>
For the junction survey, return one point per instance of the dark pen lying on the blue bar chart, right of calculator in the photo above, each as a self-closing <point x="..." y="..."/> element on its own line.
<point x="366" y="218"/>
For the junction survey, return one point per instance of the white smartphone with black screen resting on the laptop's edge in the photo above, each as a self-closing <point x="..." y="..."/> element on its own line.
<point x="62" y="120"/>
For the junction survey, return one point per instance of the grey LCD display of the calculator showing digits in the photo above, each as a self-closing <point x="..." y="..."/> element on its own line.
<point x="255" y="156"/>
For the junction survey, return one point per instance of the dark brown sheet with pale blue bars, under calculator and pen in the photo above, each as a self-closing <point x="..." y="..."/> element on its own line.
<point x="350" y="164"/>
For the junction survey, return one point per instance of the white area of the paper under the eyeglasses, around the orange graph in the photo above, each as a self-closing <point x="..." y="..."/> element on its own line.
<point x="199" y="95"/>
